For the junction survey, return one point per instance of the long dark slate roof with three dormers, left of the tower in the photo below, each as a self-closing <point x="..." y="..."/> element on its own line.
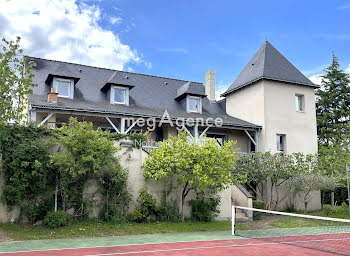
<point x="149" y="97"/>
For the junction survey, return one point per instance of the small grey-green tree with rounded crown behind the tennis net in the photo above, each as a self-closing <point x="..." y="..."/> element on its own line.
<point x="308" y="185"/>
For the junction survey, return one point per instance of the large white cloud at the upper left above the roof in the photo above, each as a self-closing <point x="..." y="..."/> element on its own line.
<point x="64" y="30"/>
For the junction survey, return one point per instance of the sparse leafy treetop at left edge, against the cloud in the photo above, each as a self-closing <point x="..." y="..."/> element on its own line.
<point x="15" y="81"/>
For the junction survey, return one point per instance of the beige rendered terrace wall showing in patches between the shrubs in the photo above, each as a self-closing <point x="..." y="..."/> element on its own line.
<point x="131" y="159"/>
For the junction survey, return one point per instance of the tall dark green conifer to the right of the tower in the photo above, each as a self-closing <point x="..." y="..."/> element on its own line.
<point x="333" y="105"/>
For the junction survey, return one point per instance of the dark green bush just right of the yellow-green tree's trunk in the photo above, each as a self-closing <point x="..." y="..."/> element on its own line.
<point x="205" y="209"/>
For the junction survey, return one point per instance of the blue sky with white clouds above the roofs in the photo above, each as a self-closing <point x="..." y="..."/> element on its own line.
<point x="183" y="38"/>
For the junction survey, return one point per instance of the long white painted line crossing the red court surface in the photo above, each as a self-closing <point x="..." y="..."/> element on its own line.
<point x="218" y="246"/>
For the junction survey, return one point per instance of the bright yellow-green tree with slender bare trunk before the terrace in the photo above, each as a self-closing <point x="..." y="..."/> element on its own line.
<point x="194" y="165"/>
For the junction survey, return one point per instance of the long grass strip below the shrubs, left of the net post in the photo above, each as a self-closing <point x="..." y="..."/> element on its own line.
<point x="94" y="228"/>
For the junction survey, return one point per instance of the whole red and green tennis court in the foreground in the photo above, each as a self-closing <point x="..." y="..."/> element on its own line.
<point x="315" y="236"/>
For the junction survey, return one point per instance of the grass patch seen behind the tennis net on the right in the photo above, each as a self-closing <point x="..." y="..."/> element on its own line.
<point x="293" y="222"/>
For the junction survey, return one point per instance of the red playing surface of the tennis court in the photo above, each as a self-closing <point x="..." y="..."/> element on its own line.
<point x="330" y="244"/>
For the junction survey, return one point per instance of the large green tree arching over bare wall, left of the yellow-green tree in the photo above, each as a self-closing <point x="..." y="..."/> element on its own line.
<point x="84" y="153"/>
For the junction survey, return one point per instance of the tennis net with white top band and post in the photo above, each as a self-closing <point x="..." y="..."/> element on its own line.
<point x="315" y="233"/>
